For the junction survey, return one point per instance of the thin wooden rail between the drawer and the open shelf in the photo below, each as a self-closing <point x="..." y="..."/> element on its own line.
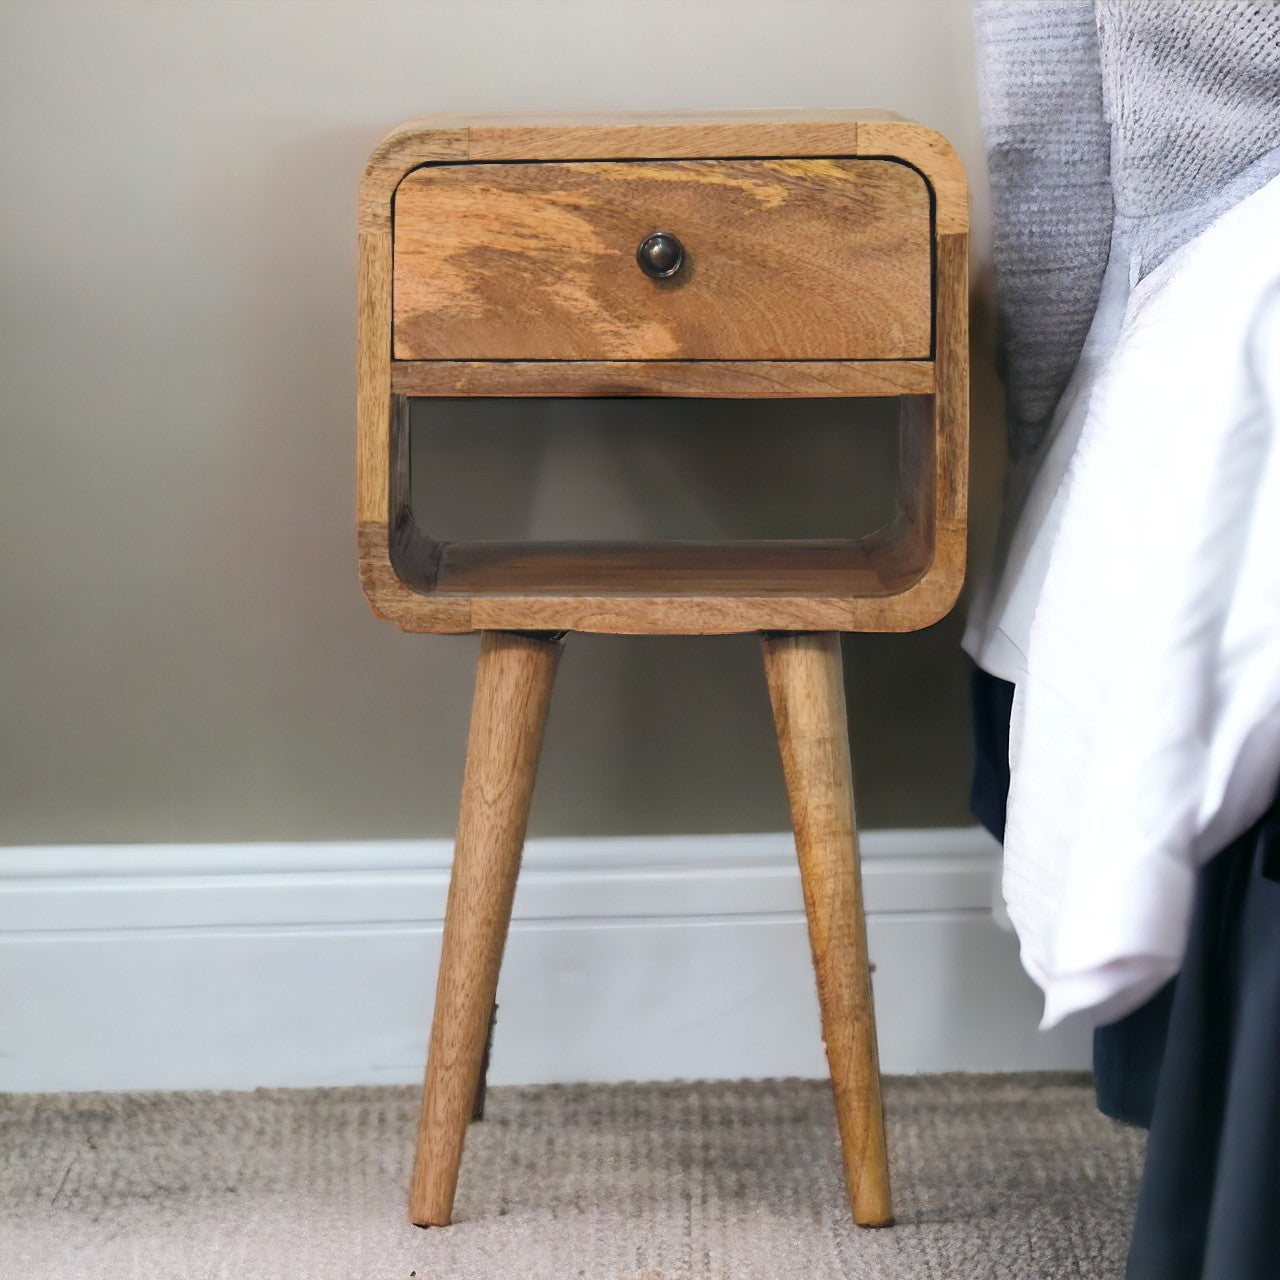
<point x="758" y="380"/>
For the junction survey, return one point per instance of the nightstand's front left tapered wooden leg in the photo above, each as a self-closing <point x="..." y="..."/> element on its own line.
<point x="514" y="684"/>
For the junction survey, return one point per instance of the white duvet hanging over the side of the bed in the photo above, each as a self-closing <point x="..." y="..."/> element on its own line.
<point x="1140" y="618"/>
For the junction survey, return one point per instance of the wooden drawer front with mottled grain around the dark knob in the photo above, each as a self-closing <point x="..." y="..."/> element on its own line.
<point x="784" y="260"/>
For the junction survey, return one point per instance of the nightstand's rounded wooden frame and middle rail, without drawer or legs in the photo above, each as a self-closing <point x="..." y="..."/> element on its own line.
<point x="906" y="577"/>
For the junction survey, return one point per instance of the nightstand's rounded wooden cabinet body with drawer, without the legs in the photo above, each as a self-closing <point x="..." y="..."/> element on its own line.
<point x="499" y="258"/>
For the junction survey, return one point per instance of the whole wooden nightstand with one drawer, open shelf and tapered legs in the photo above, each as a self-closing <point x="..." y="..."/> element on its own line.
<point x="743" y="255"/>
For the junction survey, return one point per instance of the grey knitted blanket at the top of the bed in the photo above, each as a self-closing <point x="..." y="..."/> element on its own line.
<point x="1155" y="113"/>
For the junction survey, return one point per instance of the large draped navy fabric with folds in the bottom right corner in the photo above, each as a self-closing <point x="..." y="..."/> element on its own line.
<point x="1210" y="1201"/>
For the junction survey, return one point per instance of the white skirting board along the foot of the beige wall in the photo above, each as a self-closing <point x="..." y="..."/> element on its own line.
<point x="194" y="967"/>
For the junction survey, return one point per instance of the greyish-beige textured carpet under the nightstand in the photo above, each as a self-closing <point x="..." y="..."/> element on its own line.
<point x="995" y="1177"/>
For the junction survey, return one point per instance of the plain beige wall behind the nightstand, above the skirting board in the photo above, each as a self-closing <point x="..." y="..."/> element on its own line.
<point x="186" y="653"/>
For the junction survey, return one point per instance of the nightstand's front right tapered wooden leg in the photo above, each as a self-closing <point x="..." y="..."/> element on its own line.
<point x="808" y="693"/>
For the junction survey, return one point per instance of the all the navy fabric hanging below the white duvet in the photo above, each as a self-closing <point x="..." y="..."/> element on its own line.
<point x="1200" y="1063"/>
